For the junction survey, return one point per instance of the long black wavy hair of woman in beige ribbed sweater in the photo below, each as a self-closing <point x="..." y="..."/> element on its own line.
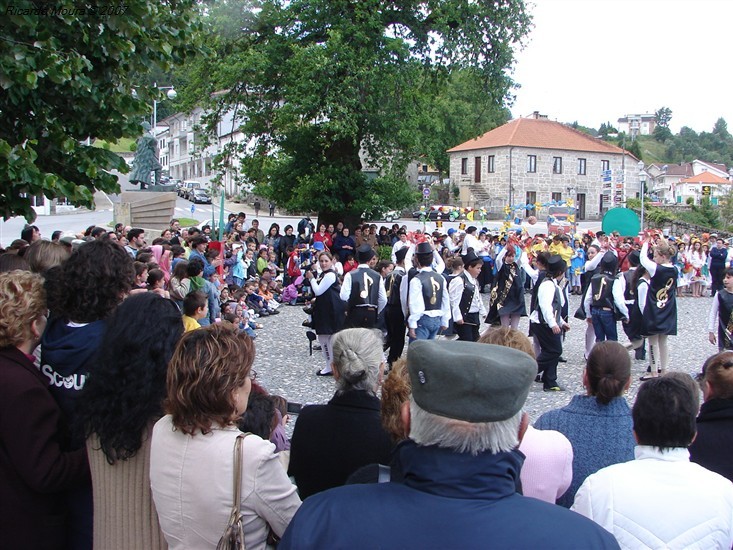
<point x="125" y="395"/>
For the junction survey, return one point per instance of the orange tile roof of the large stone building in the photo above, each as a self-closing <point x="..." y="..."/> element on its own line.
<point x="538" y="133"/>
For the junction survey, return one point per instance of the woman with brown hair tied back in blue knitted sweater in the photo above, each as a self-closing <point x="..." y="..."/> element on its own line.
<point x="598" y="424"/>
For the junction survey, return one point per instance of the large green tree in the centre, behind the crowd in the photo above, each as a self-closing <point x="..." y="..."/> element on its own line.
<point x="326" y="87"/>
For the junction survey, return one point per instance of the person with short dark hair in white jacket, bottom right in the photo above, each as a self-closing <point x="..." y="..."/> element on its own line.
<point x="661" y="499"/>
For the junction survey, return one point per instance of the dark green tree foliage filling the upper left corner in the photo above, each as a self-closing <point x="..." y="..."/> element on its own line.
<point x="65" y="71"/>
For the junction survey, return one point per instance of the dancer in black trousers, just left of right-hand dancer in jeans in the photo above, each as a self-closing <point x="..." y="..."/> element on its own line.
<point x="547" y="323"/>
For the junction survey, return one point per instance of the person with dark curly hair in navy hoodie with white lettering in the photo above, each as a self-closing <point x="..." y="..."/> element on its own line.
<point x="93" y="281"/>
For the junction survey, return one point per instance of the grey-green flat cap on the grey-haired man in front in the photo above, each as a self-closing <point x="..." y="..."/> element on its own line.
<point x="469" y="381"/>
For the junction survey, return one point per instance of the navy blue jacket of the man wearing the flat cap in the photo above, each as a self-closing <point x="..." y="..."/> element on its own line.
<point x="447" y="500"/>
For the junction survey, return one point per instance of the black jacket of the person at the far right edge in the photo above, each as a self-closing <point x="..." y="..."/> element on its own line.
<point x="713" y="446"/>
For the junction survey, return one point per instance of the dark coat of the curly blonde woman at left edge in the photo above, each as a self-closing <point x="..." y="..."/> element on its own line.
<point x="35" y="470"/>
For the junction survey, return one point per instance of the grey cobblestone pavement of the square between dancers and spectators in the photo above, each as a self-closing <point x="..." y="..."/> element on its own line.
<point x="285" y="367"/>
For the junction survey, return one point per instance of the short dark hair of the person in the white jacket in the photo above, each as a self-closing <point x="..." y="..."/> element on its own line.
<point x="665" y="410"/>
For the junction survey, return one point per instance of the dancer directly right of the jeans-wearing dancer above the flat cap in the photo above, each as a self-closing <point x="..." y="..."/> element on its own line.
<point x="465" y="298"/>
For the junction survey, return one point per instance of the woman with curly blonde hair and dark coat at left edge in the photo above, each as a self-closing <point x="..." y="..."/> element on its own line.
<point x="35" y="466"/>
